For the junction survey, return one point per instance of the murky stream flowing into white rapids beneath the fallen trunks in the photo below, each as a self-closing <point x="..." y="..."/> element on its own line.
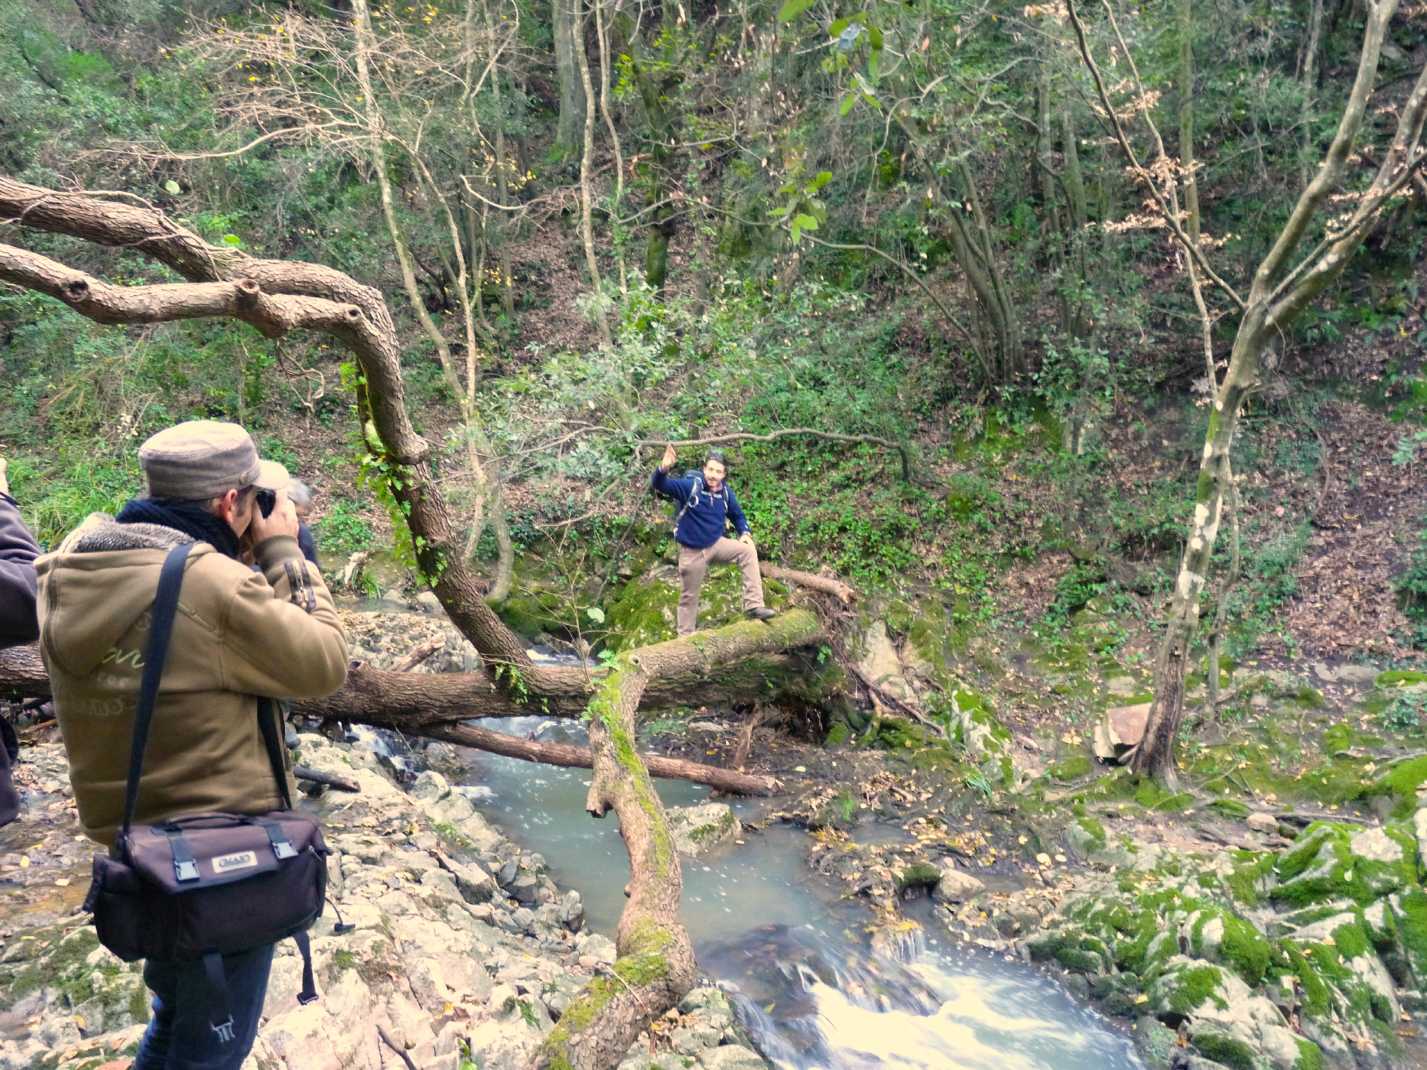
<point x="804" y="978"/>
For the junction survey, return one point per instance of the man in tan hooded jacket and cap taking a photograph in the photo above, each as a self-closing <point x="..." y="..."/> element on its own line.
<point x="240" y="634"/>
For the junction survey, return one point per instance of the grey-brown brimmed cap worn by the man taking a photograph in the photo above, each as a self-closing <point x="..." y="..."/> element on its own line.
<point x="203" y="459"/>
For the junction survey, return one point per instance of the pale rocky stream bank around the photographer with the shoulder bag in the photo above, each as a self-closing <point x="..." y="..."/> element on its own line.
<point x="464" y="951"/>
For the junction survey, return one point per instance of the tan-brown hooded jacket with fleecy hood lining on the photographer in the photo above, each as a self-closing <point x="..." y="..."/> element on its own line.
<point x="238" y="636"/>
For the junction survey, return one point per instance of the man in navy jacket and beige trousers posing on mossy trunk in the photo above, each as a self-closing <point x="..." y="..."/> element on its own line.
<point x="707" y="506"/>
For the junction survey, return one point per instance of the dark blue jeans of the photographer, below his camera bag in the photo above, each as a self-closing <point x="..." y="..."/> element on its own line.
<point x="182" y="1035"/>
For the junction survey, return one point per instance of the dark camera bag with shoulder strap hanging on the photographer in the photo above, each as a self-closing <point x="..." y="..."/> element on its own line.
<point x="206" y="885"/>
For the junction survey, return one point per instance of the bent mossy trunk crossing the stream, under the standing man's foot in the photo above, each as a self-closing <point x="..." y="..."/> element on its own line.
<point x="656" y="968"/>
